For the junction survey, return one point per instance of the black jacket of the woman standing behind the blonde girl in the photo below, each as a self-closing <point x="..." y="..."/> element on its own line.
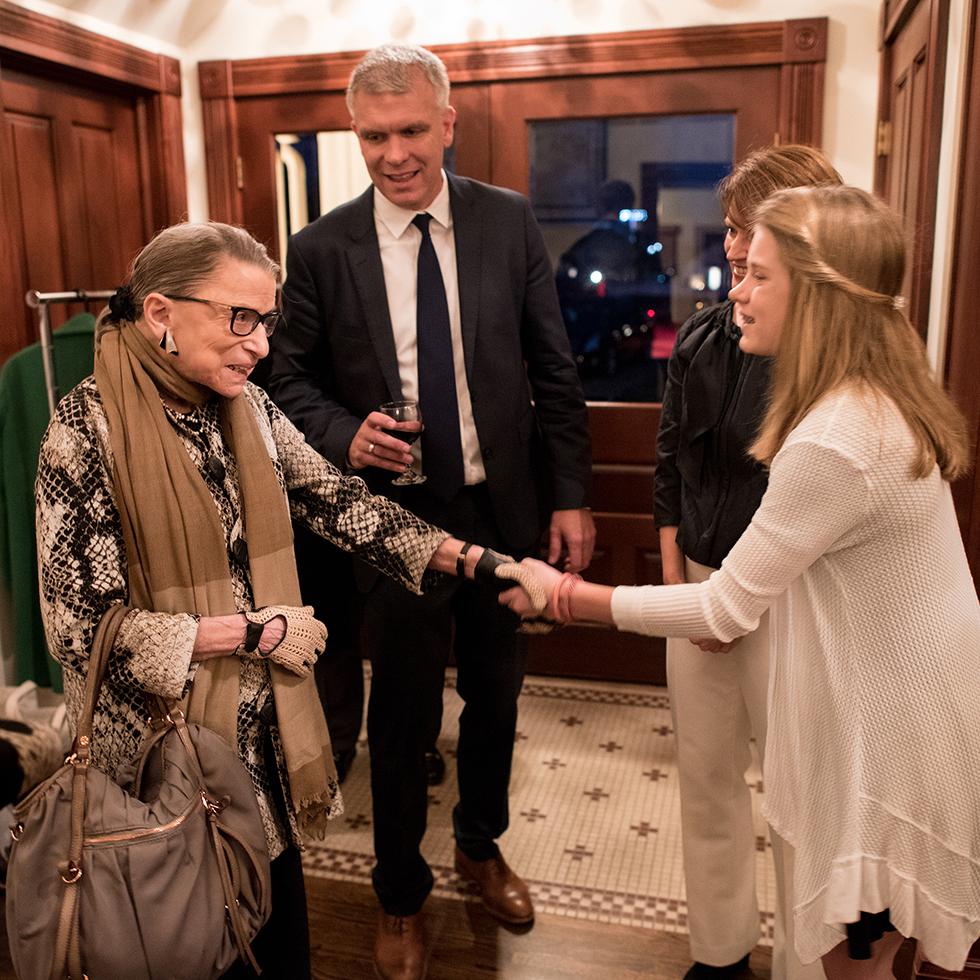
<point x="705" y="483"/>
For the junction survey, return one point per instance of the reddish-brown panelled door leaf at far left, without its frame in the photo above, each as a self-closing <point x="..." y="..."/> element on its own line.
<point x="72" y="175"/>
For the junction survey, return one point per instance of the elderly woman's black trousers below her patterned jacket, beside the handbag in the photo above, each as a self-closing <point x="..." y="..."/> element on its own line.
<point x="282" y="946"/>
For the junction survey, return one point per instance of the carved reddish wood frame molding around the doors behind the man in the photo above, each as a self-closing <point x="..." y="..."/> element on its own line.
<point x="798" y="46"/>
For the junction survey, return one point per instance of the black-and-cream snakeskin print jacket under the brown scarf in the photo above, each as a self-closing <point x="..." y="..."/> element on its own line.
<point x="82" y="567"/>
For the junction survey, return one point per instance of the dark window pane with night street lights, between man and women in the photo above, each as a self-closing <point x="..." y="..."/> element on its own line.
<point x="636" y="237"/>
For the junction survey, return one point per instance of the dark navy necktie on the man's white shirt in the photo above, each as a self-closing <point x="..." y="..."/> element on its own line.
<point x="442" y="450"/>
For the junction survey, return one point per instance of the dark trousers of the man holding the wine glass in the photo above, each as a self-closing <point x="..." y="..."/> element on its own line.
<point x="409" y="639"/>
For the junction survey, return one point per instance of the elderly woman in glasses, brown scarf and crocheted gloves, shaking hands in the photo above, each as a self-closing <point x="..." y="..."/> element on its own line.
<point x="167" y="483"/>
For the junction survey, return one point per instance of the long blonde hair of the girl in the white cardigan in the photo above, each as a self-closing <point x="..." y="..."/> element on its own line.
<point x="845" y="324"/>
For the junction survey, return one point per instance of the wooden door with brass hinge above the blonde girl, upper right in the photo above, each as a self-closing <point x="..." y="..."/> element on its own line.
<point x="913" y="63"/>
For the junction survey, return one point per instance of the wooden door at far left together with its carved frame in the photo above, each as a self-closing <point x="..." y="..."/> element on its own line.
<point x="91" y="160"/>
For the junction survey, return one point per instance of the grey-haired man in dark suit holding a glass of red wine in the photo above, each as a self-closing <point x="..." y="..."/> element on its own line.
<point x="437" y="288"/>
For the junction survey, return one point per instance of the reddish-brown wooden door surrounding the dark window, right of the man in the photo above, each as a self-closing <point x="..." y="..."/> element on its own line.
<point x="623" y="434"/>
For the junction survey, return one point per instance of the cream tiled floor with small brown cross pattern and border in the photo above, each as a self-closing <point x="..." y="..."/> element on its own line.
<point x="595" y="824"/>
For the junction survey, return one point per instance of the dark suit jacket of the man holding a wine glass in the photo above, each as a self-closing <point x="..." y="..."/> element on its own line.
<point x="335" y="360"/>
